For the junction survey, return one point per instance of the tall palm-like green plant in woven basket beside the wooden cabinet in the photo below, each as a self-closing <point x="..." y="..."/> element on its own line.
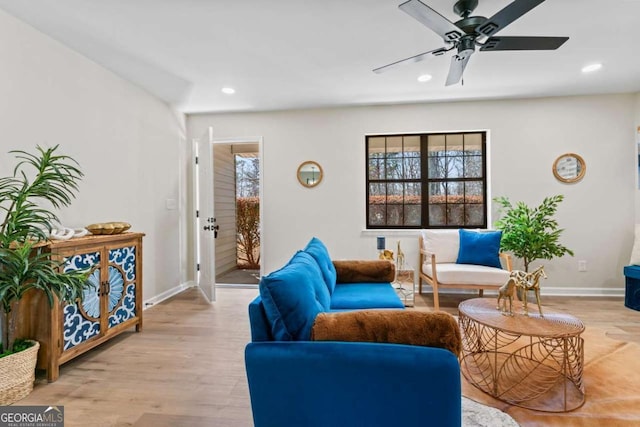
<point x="40" y="183"/>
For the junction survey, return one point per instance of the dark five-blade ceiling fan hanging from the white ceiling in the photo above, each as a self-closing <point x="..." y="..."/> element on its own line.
<point x="471" y="31"/>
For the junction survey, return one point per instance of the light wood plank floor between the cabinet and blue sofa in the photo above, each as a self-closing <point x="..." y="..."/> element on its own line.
<point x="186" y="368"/>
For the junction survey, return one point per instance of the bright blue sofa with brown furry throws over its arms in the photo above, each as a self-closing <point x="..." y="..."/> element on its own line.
<point x="297" y="382"/>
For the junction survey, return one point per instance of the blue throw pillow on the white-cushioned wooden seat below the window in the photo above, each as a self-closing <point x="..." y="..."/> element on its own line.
<point x="480" y="248"/>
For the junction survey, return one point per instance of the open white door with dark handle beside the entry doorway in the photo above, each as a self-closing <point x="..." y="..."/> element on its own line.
<point x="205" y="219"/>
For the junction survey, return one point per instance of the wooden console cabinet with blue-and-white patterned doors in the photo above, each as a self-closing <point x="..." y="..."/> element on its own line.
<point x="111" y="305"/>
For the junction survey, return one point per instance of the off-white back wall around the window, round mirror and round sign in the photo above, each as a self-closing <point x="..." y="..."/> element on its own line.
<point x="525" y="138"/>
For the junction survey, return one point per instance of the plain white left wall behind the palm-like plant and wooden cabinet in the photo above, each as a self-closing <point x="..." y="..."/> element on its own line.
<point x="126" y="141"/>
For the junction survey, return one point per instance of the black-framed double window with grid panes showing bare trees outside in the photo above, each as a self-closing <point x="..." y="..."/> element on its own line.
<point x="426" y="180"/>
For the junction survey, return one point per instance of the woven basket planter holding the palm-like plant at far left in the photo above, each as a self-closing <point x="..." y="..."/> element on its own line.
<point x="17" y="374"/>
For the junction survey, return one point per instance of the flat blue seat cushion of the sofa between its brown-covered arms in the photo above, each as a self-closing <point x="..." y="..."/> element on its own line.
<point x="364" y="295"/>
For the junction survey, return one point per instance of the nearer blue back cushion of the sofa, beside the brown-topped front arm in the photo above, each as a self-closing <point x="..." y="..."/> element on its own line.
<point x="293" y="296"/>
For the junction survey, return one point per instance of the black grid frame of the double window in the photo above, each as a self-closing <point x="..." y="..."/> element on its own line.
<point x="424" y="180"/>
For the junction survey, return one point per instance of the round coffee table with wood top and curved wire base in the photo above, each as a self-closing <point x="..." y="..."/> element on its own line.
<point x="530" y="361"/>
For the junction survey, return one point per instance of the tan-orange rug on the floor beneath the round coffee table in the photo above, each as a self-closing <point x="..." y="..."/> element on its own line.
<point x="611" y="379"/>
